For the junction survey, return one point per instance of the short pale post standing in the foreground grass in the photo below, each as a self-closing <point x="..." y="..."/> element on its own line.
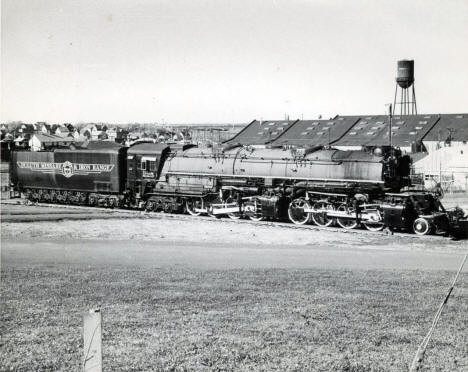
<point x="92" y="336"/>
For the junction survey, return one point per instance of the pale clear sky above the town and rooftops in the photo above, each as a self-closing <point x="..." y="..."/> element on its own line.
<point x="226" y="61"/>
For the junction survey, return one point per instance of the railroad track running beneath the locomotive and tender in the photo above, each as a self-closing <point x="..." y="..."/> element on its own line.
<point x="183" y="217"/>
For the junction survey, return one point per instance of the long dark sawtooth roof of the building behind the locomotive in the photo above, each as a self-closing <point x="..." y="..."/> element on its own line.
<point x="358" y="130"/>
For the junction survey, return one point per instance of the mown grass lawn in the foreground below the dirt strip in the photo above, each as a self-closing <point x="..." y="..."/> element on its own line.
<point x="179" y="319"/>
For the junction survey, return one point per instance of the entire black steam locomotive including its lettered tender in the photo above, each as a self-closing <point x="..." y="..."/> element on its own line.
<point x="323" y="185"/>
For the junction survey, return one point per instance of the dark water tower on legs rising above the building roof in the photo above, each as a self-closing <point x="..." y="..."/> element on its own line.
<point x="405" y="96"/>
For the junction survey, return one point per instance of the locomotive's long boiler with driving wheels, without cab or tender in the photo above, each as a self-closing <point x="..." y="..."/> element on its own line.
<point x="315" y="184"/>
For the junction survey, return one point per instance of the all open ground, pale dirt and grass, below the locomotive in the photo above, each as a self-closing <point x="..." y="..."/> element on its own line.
<point x="203" y="294"/>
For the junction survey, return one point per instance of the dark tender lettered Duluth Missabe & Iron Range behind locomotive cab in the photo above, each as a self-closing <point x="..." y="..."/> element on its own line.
<point x="92" y="176"/>
